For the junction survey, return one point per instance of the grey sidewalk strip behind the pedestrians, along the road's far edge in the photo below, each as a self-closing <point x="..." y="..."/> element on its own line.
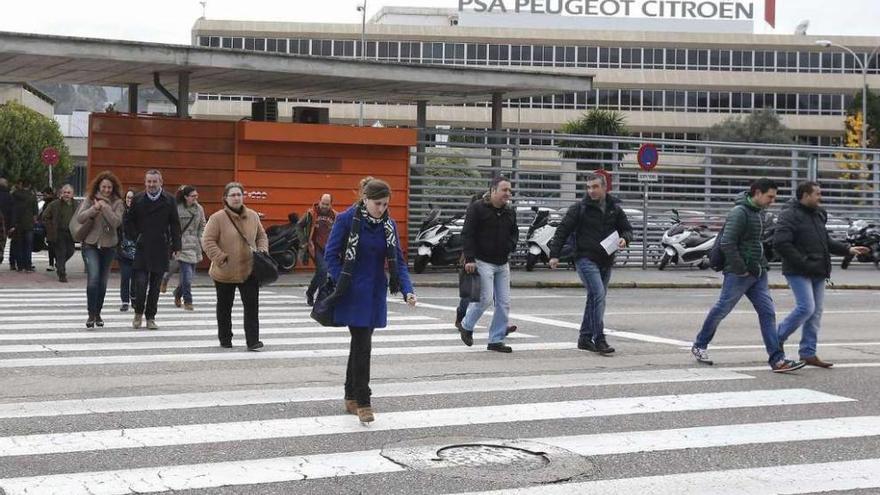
<point x="859" y="276"/>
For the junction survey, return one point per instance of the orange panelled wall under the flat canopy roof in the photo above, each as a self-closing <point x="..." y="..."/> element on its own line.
<point x="290" y="165"/>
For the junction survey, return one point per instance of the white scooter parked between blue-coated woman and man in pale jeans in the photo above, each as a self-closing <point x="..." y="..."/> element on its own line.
<point x="438" y="242"/>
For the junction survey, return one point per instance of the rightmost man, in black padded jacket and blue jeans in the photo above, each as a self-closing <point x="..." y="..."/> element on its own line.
<point x="805" y="247"/>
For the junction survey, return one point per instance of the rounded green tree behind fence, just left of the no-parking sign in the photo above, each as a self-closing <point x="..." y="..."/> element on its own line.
<point x="593" y="123"/>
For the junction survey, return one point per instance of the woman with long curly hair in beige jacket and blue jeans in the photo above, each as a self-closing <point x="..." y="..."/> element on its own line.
<point x="100" y="212"/>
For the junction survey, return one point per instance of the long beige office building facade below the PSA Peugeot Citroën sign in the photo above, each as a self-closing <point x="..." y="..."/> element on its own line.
<point x="668" y="84"/>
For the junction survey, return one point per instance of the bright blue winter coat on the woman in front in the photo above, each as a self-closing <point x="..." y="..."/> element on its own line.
<point x="364" y="305"/>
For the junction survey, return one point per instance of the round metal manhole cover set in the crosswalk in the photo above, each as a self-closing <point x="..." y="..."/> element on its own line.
<point x="498" y="457"/>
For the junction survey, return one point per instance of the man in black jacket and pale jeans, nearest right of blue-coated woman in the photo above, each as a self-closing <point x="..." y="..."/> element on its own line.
<point x="489" y="235"/>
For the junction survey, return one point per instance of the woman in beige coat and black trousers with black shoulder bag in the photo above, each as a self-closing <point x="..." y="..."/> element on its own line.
<point x="231" y="262"/>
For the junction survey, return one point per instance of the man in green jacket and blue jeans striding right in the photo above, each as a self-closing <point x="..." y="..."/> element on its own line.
<point x="745" y="273"/>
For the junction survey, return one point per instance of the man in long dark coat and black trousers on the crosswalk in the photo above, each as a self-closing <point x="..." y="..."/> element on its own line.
<point x="152" y="220"/>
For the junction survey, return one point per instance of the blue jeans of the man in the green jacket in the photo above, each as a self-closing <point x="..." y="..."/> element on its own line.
<point x="758" y="292"/>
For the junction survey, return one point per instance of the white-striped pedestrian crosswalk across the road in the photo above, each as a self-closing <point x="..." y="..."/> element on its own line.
<point x="198" y="417"/>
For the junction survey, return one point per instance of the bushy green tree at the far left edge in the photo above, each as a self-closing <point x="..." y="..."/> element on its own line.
<point x="24" y="134"/>
